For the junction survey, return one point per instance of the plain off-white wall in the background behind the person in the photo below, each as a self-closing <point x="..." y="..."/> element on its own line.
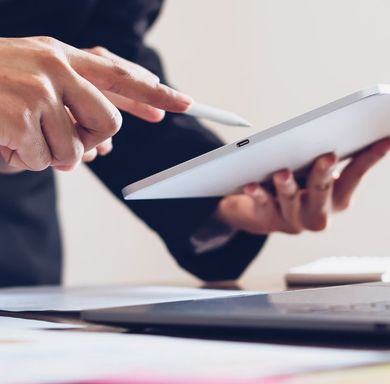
<point x="267" y="60"/>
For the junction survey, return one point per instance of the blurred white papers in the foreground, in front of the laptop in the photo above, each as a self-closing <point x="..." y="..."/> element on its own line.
<point x="58" y="357"/>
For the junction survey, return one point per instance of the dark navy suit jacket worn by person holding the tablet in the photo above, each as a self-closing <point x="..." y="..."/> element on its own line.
<point x="30" y="249"/>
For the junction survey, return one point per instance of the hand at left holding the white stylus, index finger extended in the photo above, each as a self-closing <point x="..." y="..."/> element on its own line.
<point x="44" y="83"/>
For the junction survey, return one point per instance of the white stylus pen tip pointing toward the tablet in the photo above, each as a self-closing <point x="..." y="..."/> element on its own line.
<point x="217" y="115"/>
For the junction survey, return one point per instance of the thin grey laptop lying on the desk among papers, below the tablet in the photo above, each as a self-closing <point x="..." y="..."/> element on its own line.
<point x="361" y="308"/>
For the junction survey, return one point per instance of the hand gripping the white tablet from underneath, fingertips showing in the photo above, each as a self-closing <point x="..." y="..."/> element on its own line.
<point x="291" y="209"/>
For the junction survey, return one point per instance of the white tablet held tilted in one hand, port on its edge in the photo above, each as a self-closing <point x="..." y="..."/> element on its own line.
<point x="344" y="126"/>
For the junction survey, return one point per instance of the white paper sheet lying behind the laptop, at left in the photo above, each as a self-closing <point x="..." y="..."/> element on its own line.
<point x="55" y="298"/>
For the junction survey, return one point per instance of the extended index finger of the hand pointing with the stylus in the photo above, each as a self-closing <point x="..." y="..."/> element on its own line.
<point x="112" y="75"/>
